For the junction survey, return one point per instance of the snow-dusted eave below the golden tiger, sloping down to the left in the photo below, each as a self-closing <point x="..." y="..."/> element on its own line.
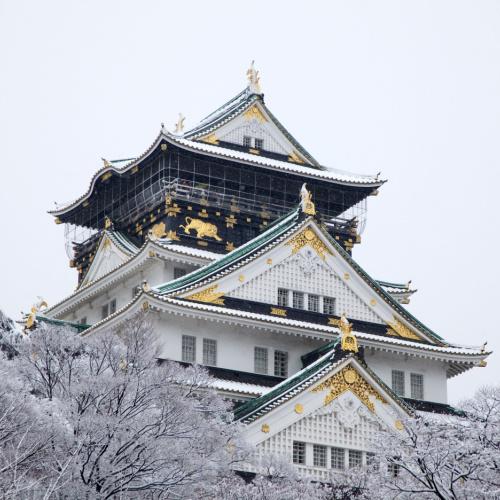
<point x="160" y="249"/>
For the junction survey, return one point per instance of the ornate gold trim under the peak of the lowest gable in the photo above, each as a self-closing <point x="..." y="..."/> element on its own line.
<point x="348" y="379"/>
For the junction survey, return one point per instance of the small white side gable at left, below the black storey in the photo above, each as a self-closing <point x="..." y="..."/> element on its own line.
<point x="112" y="251"/>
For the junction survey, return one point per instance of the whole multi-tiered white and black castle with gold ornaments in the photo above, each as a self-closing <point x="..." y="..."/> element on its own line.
<point x="240" y="246"/>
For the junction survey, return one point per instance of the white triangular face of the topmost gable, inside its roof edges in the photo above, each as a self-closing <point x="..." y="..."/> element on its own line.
<point x="256" y="125"/>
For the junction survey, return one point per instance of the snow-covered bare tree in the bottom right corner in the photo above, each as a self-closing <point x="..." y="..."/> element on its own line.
<point x="438" y="456"/>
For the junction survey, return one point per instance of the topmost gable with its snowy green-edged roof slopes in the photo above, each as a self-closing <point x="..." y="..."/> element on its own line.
<point x="247" y="115"/>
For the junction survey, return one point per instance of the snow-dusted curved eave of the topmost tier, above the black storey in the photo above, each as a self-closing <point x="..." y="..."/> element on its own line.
<point x="337" y="177"/>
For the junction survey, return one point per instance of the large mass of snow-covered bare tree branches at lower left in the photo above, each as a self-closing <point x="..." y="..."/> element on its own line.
<point x="102" y="418"/>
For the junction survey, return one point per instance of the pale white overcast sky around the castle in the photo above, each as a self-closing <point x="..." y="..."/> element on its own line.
<point x="411" y="89"/>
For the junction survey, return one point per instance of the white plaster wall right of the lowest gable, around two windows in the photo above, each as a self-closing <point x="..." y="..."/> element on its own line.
<point x="434" y="372"/>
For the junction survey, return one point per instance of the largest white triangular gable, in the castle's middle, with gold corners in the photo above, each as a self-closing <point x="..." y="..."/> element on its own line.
<point x="256" y="276"/>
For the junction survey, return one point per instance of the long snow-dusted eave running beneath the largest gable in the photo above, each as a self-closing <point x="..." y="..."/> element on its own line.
<point x="212" y="312"/>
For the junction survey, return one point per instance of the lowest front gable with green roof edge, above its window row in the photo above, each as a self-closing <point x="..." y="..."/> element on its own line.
<point x="338" y="386"/>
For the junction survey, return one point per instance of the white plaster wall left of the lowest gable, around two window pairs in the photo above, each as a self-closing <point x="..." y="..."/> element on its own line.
<point x="235" y="344"/>
